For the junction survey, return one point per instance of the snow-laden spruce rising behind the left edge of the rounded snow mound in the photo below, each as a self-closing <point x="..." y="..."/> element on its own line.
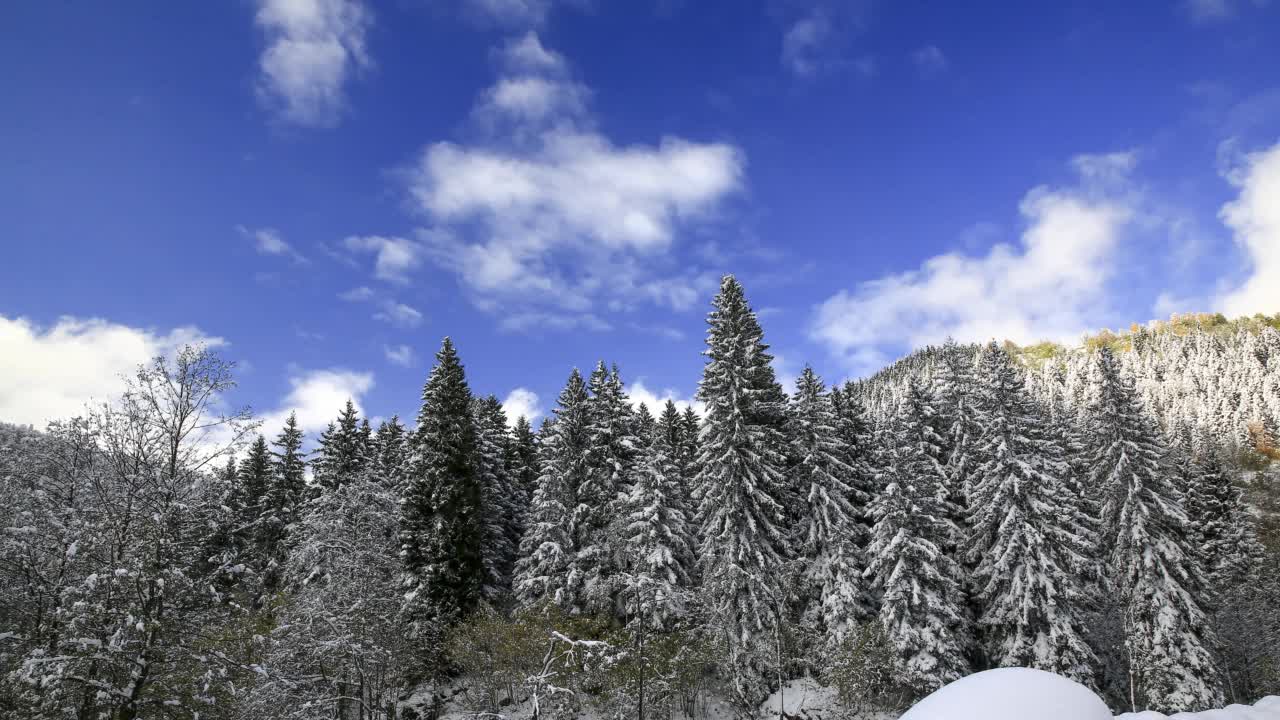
<point x="918" y="584"/>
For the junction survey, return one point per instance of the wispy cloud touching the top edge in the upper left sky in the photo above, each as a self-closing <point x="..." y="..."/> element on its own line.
<point x="313" y="47"/>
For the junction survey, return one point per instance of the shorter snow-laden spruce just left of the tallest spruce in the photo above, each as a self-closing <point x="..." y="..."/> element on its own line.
<point x="655" y="527"/>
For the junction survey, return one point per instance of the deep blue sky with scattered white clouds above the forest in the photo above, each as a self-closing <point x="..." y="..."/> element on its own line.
<point x="327" y="188"/>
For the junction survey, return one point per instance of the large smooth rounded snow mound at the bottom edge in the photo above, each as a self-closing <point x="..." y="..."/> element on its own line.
<point x="1013" y="694"/>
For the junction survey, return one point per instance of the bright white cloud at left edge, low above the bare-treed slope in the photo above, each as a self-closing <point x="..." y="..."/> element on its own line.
<point x="52" y="373"/>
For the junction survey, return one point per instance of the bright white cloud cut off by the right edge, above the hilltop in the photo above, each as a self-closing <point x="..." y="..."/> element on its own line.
<point x="1255" y="218"/>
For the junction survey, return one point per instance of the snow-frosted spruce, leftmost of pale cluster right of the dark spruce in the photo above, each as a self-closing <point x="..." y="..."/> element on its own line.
<point x="548" y="550"/>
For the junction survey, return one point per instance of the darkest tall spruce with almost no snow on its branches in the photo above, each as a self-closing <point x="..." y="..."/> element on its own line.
<point x="442" y="537"/>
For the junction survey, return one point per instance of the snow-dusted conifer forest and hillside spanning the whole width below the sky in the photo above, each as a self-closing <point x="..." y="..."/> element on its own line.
<point x="1108" y="513"/>
